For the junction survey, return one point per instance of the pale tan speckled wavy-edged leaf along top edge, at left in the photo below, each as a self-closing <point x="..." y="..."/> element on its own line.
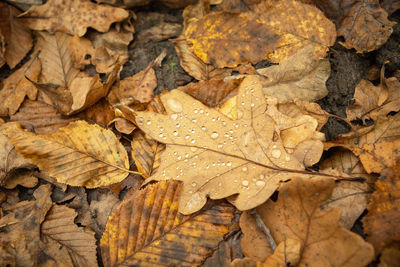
<point x="72" y="16"/>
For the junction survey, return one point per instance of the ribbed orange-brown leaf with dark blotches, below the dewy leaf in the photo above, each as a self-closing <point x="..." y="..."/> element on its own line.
<point x="146" y="228"/>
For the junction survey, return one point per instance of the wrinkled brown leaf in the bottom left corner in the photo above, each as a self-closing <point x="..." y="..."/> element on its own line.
<point x="20" y="235"/>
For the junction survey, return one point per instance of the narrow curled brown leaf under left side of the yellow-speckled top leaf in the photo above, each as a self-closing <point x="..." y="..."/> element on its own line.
<point x="194" y="66"/>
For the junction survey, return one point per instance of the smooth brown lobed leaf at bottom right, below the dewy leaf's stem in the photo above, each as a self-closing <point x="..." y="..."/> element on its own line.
<point x="297" y="215"/>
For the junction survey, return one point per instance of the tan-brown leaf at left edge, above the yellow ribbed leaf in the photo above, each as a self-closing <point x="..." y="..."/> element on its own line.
<point x="16" y="87"/>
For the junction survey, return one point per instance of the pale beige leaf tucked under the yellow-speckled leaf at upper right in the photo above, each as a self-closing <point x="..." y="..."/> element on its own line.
<point x="300" y="77"/>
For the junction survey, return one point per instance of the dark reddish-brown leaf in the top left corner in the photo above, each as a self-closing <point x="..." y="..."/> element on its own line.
<point x="16" y="38"/>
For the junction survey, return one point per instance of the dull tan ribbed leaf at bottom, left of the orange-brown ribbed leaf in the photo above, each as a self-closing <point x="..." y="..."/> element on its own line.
<point x="79" y="242"/>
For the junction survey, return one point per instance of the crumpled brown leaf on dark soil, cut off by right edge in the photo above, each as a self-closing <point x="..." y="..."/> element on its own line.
<point x="371" y="102"/>
